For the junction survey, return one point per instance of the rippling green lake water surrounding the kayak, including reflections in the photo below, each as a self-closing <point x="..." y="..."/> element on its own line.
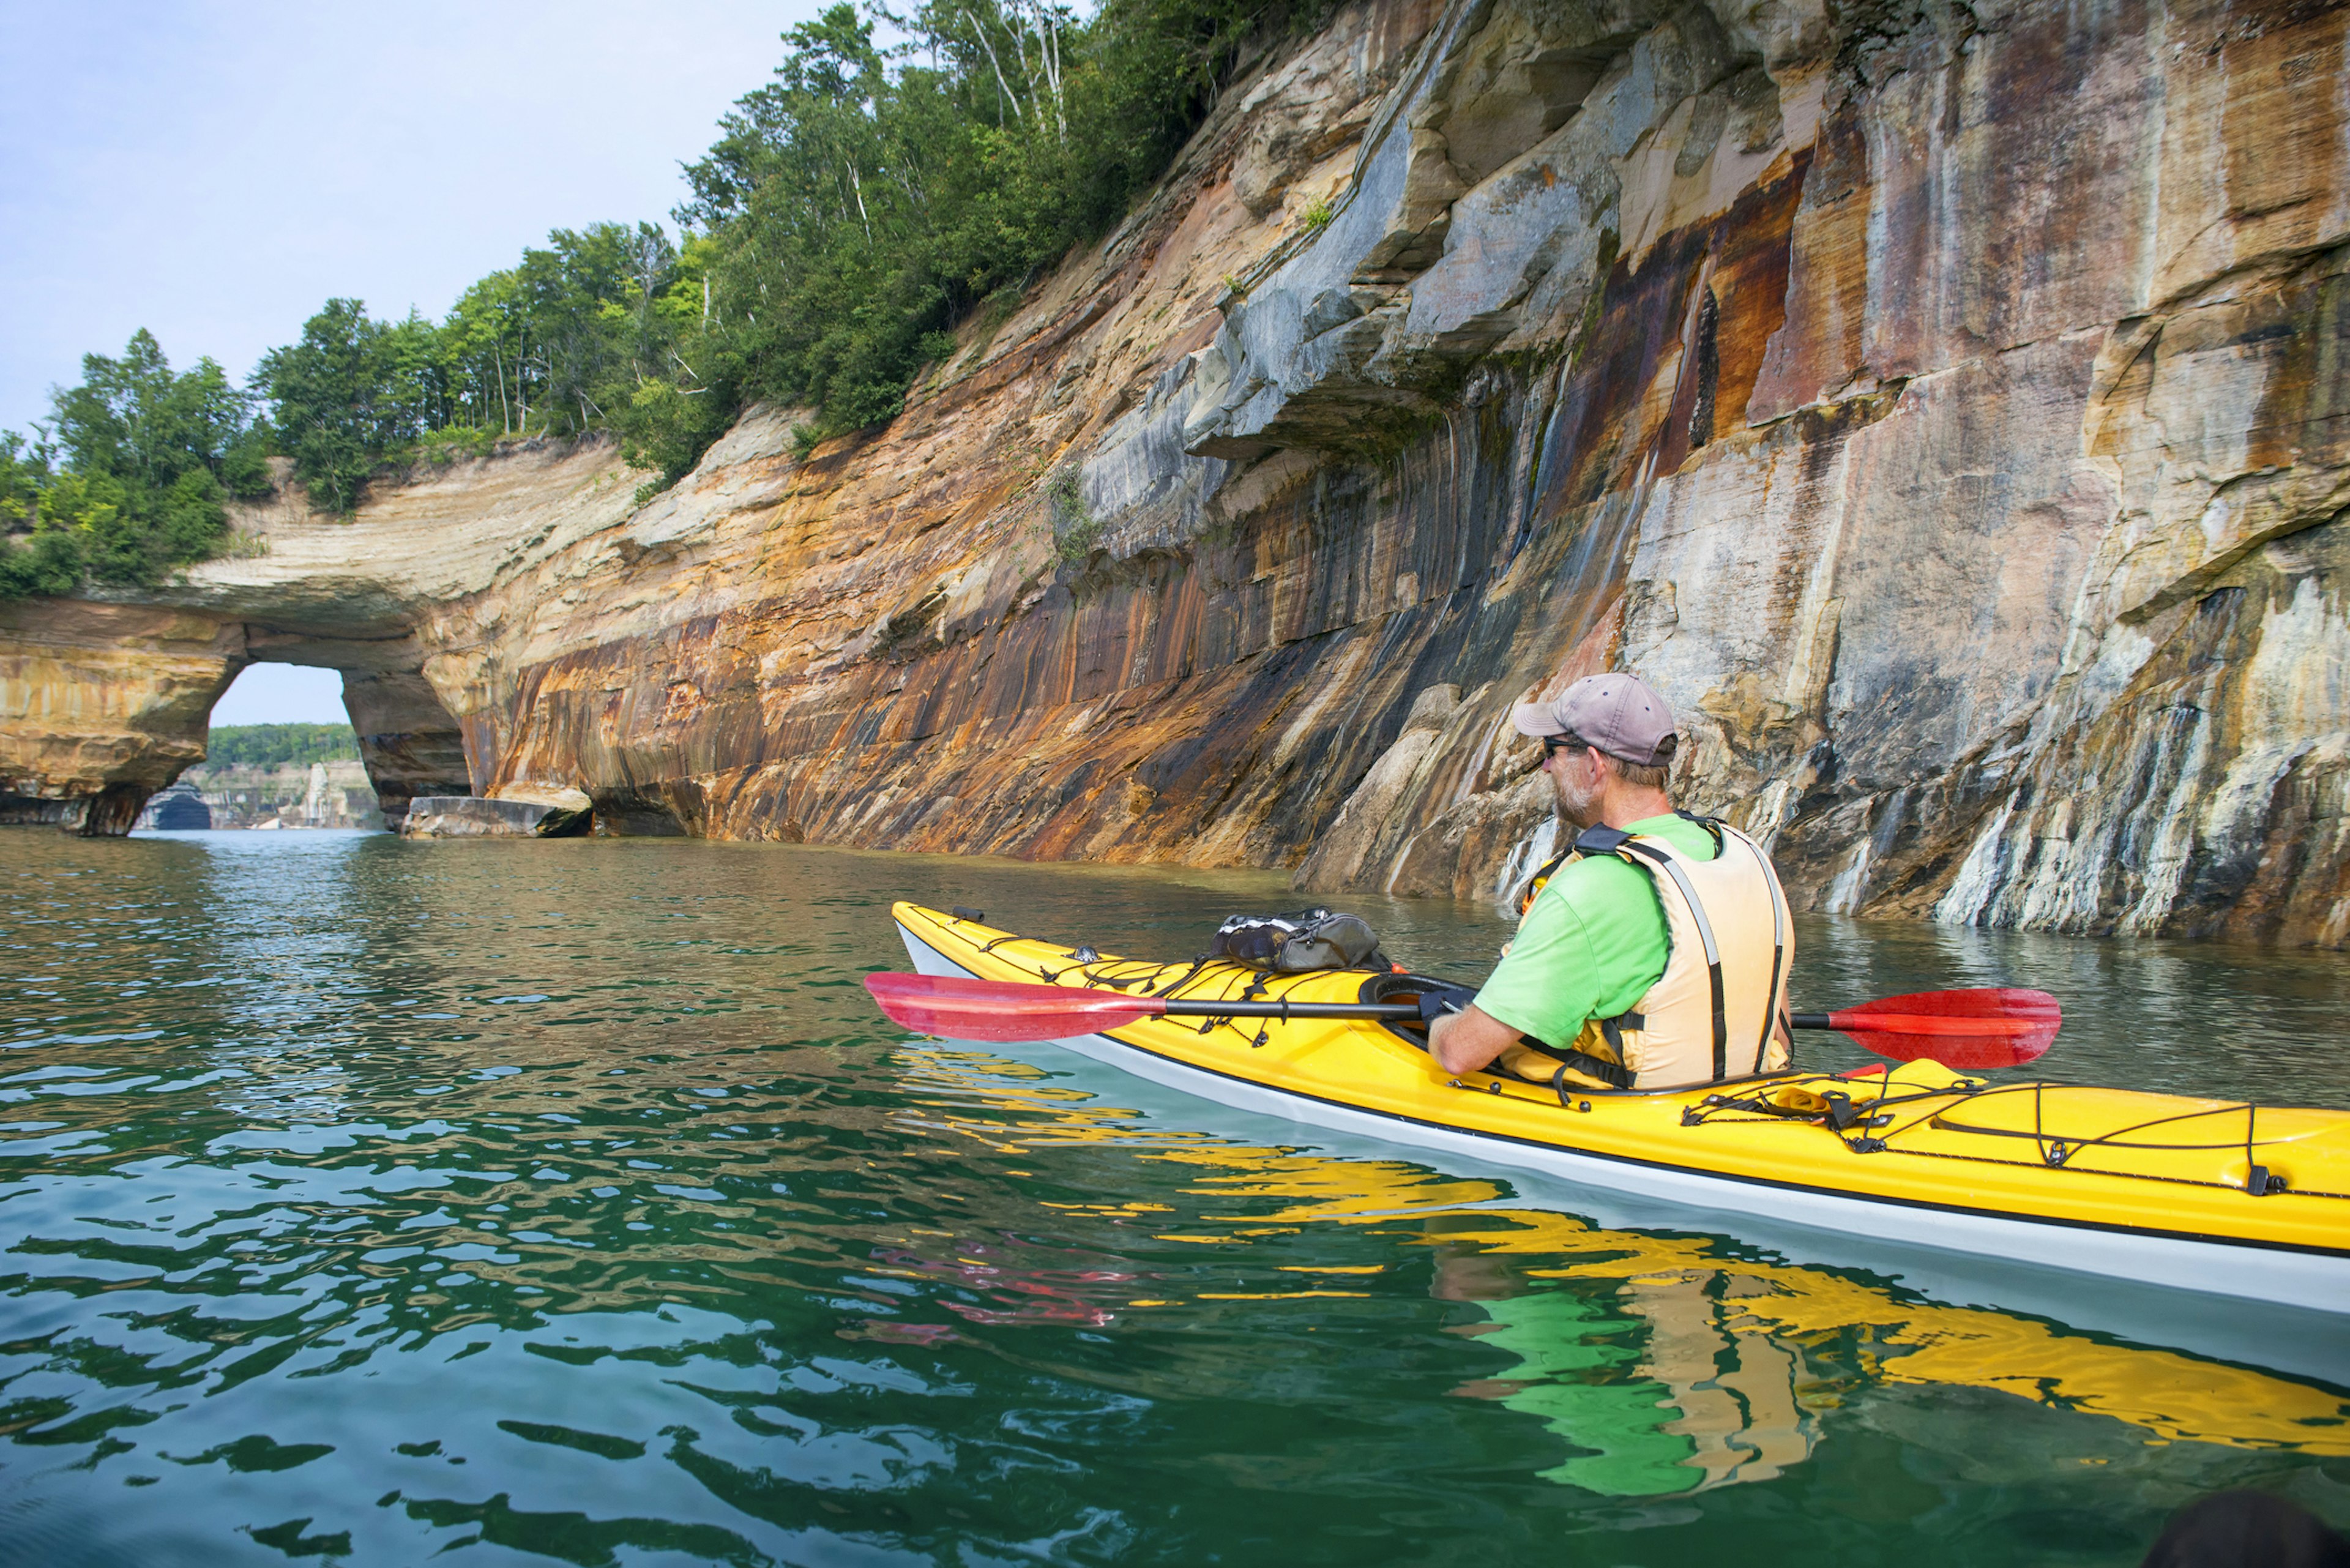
<point x="568" y="1202"/>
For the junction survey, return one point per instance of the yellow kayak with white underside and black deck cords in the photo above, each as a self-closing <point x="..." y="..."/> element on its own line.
<point x="2208" y="1195"/>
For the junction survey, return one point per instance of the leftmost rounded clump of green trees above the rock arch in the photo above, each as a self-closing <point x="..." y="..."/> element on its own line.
<point x="130" y="478"/>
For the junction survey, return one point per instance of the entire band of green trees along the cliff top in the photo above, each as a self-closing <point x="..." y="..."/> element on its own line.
<point x="847" y="220"/>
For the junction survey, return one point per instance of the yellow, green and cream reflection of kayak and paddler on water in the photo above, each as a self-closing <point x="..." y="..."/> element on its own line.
<point x="1696" y="1365"/>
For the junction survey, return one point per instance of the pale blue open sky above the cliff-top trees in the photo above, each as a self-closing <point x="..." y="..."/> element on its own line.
<point x="215" y="173"/>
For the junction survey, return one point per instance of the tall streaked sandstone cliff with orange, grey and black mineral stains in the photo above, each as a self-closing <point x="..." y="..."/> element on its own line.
<point x="1947" y="408"/>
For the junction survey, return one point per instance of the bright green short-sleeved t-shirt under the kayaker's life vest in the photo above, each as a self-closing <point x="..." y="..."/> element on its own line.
<point x="1592" y="946"/>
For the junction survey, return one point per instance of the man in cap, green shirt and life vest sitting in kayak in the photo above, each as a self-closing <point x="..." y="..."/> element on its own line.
<point x="1656" y="949"/>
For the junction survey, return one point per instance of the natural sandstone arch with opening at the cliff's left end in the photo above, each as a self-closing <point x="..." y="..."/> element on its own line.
<point x="107" y="699"/>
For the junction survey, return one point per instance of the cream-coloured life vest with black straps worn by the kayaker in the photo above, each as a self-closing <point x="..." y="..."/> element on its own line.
<point x="1728" y="949"/>
